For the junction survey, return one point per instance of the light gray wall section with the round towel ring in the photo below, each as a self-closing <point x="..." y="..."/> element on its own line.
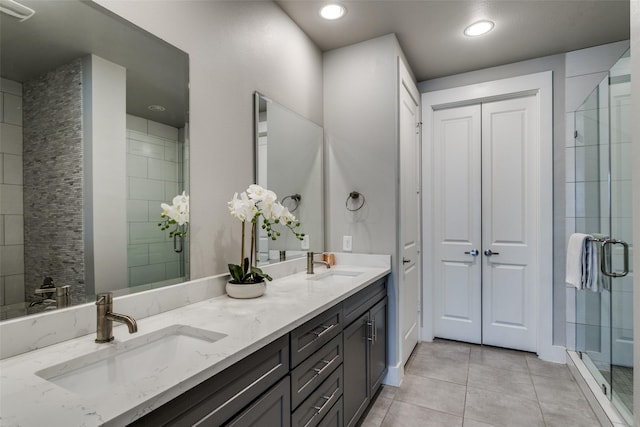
<point x="360" y="110"/>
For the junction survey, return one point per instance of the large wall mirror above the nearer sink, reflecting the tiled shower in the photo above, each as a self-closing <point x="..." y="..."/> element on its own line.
<point x="94" y="139"/>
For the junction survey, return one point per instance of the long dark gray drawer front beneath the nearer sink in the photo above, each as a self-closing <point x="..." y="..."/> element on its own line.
<point x="219" y="398"/>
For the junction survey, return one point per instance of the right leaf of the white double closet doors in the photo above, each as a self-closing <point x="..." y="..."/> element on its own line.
<point x="509" y="223"/>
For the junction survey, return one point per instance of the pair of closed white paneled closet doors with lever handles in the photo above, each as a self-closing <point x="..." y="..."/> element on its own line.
<point x="486" y="200"/>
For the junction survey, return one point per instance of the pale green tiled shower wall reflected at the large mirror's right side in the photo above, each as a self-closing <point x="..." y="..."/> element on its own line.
<point x="154" y="171"/>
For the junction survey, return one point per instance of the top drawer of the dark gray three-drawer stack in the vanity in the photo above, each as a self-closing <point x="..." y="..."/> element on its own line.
<point x="308" y="338"/>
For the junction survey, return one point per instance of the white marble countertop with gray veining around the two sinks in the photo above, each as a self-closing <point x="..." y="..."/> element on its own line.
<point x="26" y="399"/>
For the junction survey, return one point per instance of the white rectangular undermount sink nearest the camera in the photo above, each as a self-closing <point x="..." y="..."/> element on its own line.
<point x="164" y="354"/>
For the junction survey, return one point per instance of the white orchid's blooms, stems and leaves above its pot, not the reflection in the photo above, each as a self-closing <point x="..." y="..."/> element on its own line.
<point x="250" y="206"/>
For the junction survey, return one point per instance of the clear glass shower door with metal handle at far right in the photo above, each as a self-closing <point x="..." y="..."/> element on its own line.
<point x="604" y="319"/>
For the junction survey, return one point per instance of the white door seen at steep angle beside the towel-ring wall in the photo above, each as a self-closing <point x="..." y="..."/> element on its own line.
<point x="409" y="136"/>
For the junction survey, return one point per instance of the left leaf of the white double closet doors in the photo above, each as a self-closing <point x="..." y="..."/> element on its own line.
<point x="457" y="224"/>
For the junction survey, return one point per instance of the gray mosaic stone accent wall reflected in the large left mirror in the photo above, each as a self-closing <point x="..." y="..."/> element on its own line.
<point x="53" y="170"/>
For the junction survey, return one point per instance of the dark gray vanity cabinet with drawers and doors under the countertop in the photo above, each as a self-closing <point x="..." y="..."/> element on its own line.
<point x="320" y="374"/>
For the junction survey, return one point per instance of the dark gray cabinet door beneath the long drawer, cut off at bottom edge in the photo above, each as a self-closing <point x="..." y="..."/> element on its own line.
<point x="271" y="409"/>
